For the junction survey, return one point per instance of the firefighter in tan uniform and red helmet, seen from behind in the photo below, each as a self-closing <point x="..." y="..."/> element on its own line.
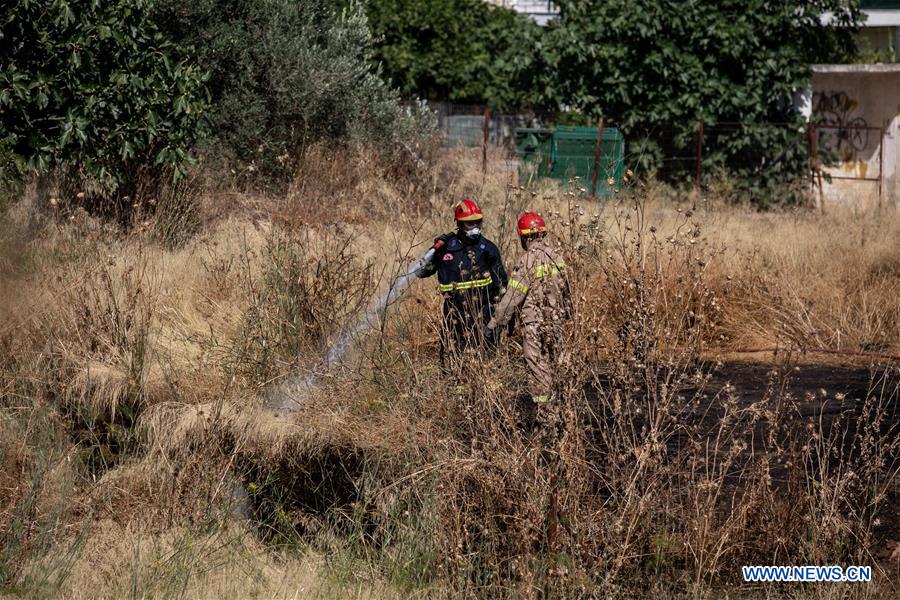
<point x="538" y="284"/>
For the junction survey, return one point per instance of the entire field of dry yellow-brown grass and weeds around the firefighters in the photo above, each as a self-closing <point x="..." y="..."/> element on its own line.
<point x="134" y="373"/>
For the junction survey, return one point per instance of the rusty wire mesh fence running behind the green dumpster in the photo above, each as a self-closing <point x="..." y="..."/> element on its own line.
<point x="696" y="153"/>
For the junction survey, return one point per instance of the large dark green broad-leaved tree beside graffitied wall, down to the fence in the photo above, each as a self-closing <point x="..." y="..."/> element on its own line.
<point x="649" y="64"/>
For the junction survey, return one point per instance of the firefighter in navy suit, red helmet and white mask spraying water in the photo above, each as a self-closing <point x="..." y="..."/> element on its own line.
<point x="470" y="276"/>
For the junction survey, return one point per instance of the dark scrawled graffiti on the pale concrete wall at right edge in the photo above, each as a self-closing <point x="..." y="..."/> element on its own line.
<point x="843" y="133"/>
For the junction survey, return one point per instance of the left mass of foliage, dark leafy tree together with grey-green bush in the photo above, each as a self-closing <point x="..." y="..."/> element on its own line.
<point x="111" y="88"/>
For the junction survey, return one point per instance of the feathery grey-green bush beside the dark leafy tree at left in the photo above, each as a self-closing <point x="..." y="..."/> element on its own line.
<point x="285" y="74"/>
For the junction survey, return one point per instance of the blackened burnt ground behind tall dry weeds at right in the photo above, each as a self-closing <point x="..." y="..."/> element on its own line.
<point x="836" y="400"/>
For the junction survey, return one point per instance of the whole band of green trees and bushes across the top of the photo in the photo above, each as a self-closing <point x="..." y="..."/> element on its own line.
<point x="108" y="87"/>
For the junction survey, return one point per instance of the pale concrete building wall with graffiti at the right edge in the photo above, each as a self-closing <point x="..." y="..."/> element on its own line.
<point x="858" y="107"/>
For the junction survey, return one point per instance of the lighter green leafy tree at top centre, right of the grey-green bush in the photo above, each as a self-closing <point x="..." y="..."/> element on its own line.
<point x="457" y="50"/>
